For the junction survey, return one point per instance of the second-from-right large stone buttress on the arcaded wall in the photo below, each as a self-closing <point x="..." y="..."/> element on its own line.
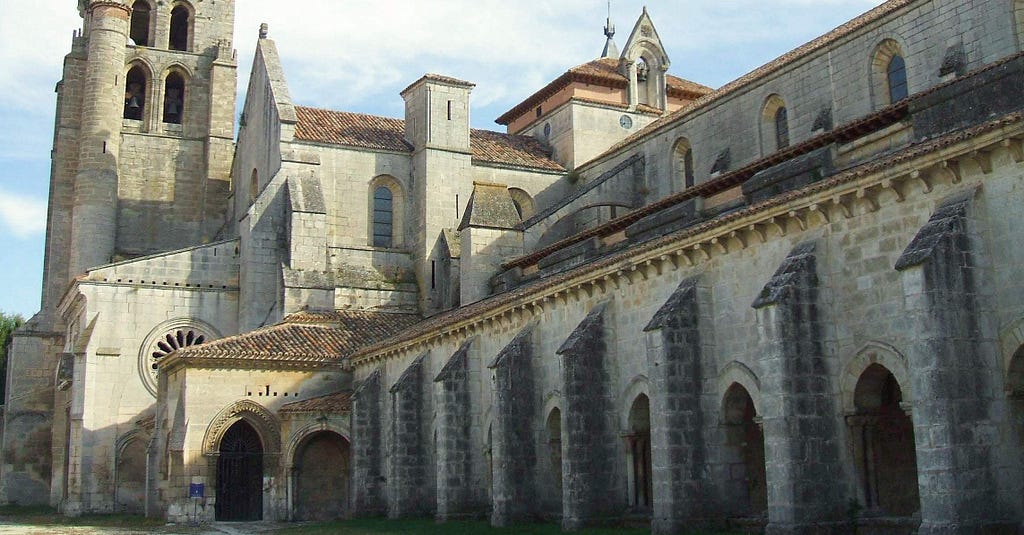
<point x="801" y="434"/>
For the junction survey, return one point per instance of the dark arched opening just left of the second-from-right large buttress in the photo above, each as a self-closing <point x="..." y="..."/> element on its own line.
<point x="747" y="487"/>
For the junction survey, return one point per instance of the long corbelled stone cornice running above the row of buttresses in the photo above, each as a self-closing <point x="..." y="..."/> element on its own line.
<point x="866" y="188"/>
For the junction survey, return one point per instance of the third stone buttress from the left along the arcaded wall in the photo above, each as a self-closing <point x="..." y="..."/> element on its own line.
<point x="454" y="456"/>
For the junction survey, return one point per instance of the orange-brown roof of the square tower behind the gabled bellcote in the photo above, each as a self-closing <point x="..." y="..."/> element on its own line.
<point x="605" y="73"/>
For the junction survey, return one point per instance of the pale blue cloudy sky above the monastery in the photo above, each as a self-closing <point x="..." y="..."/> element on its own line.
<point x="359" y="55"/>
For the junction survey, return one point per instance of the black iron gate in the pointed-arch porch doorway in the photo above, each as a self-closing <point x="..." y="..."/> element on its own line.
<point x="240" y="475"/>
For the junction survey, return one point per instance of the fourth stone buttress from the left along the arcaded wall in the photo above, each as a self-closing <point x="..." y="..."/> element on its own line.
<point x="515" y="442"/>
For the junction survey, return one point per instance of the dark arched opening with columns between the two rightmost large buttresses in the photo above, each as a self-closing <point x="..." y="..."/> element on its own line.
<point x="883" y="444"/>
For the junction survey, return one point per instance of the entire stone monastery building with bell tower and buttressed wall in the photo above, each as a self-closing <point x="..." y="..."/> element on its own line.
<point x="793" y="304"/>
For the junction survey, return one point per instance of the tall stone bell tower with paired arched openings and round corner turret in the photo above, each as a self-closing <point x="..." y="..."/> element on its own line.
<point x="145" y="129"/>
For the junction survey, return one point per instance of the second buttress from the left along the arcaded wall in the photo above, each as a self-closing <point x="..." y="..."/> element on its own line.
<point x="408" y="484"/>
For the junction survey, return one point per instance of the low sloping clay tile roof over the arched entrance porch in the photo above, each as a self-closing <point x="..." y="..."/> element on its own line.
<point x="306" y="338"/>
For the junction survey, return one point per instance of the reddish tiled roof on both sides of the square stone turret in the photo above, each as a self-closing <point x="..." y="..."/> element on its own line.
<point x="385" y="134"/>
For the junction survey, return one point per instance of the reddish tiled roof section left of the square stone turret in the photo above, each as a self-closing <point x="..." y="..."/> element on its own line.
<point x="351" y="130"/>
